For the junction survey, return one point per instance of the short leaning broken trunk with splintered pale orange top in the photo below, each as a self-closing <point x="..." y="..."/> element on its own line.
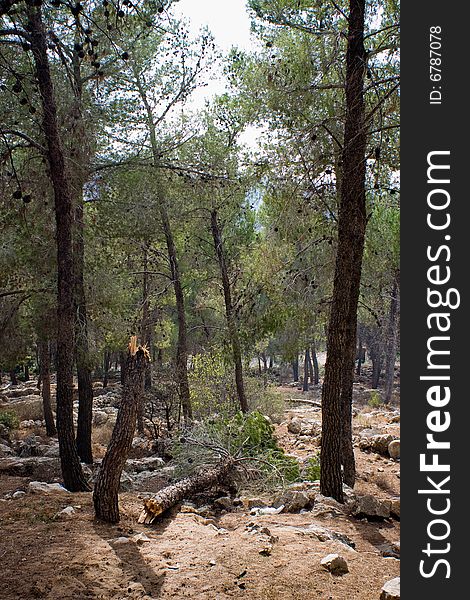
<point x="105" y="494"/>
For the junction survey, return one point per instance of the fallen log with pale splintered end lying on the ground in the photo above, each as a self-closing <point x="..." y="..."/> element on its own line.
<point x="172" y="494"/>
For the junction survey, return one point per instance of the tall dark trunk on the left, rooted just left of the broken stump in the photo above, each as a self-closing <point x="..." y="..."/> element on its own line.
<point x="70" y="462"/>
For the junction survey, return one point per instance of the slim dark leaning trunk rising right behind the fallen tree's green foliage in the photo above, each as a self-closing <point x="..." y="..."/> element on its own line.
<point x="231" y="323"/>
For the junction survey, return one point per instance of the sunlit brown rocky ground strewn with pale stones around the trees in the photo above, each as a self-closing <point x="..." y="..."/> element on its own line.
<point x="294" y="544"/>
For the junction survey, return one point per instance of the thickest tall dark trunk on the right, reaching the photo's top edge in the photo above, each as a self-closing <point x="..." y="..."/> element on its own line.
<point x="351" y="232"/>
